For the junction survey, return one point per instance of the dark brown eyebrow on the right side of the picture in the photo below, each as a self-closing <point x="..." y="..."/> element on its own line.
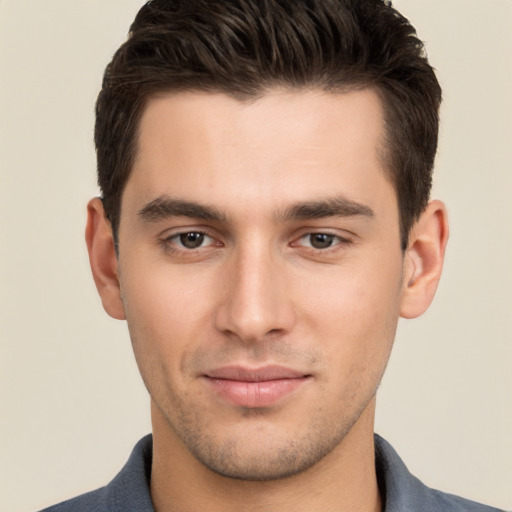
<point x="330" y="207"/>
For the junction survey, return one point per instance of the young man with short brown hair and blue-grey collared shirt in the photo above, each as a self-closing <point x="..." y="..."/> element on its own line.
<point x="265" y="169"/>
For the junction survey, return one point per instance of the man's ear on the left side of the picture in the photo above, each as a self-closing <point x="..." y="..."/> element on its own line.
<point x="103" y="260"/>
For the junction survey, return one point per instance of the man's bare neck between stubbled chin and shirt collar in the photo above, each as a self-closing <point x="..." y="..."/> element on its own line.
<point x="345" y="479"/>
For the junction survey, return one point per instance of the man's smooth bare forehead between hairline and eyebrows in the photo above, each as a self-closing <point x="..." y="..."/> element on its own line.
<point x="286" y="145"/>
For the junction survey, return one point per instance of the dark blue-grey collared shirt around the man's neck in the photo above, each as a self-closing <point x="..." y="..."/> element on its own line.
<point x="401" y="491"/>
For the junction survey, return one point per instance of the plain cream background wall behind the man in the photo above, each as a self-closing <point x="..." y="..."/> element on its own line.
<point x="72" y="403"/>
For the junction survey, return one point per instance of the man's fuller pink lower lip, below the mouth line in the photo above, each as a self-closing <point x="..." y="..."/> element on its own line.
<point x="255" y="394"/>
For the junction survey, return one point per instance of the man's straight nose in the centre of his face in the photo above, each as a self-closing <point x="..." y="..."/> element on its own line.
<point x="256" y="303"/>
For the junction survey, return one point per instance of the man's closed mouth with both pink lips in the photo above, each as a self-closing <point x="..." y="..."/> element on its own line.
<point x="255" y="388"/>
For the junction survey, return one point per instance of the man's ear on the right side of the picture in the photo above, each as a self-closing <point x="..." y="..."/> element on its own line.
<point x="424" y="259"/>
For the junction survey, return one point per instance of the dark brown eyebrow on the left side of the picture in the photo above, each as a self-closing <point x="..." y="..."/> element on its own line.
<point x="164" y="207"/>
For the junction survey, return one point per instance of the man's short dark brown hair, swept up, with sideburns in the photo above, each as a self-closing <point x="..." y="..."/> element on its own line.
<point x="244" y="47"/>
